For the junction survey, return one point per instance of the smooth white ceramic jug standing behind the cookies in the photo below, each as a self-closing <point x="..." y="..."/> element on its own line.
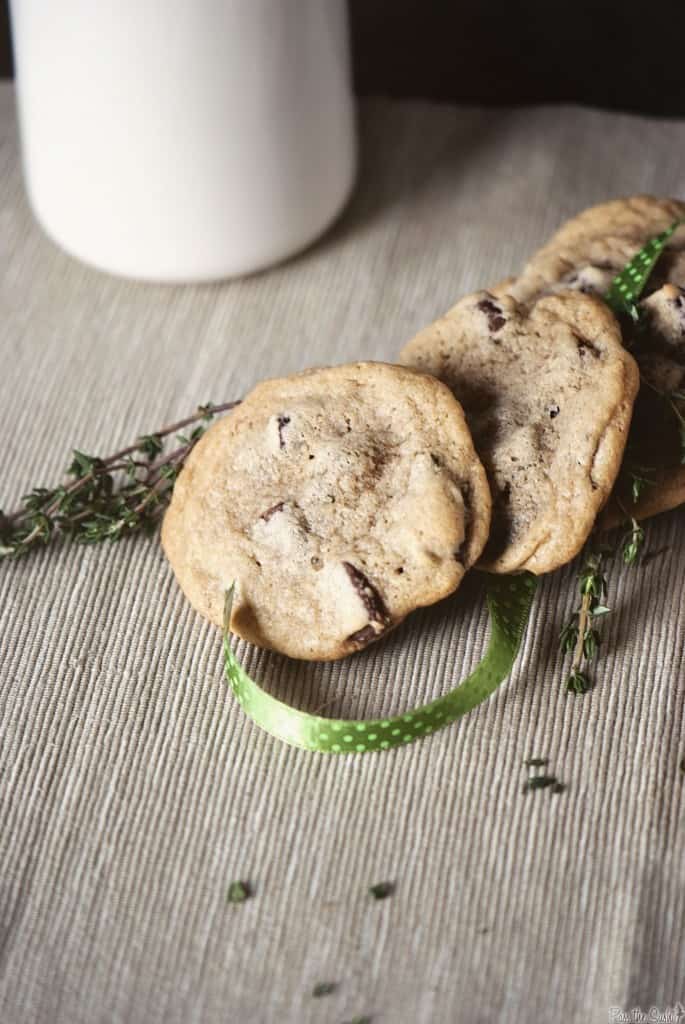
<point x="185" y="141"/>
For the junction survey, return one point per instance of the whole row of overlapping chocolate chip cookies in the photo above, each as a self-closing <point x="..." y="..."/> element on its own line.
<point x="339" y="500"/>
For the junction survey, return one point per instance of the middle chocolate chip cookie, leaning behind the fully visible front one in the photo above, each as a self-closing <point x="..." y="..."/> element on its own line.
<point x="548" y="393"/>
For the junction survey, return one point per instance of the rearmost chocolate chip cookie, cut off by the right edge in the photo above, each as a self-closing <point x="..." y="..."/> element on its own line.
<point x="586" y="254"/>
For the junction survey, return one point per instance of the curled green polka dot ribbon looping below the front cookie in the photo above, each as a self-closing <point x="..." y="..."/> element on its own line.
<point x="509" y="602"/>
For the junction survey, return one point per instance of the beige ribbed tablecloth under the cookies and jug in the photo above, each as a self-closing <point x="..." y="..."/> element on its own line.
<point x="134" y="790"/>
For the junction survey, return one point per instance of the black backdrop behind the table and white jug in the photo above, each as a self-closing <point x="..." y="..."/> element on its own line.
<point x="624" y="56"/>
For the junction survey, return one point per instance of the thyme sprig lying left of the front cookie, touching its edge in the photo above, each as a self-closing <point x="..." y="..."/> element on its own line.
<point x="104" y="499"/>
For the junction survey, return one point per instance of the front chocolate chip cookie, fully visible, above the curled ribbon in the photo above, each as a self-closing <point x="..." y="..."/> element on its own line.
<point x="339" y="500"/>
